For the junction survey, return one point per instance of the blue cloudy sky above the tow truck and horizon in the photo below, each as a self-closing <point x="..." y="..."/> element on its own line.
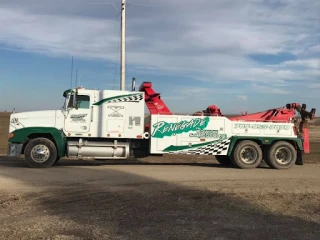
<point x="241" y="55"/>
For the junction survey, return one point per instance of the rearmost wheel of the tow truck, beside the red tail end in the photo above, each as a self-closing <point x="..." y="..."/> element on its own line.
<point x="286" y="158"/>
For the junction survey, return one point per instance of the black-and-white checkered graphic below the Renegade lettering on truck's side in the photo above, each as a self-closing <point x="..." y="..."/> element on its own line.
<point x="220" y="148"/>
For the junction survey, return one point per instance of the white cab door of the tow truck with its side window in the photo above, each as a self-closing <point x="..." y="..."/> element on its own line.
<point x="78" y="119"/>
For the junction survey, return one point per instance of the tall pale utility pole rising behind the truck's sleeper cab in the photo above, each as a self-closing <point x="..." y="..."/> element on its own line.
<point x="123" y="45"/>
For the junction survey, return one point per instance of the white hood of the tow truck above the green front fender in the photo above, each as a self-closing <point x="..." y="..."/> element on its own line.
<point x="50" y="118"/>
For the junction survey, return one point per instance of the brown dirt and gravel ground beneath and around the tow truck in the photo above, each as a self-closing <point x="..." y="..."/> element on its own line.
<point x="158" y="198"/>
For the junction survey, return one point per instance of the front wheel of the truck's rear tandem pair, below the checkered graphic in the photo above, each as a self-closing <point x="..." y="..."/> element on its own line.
<point x="247" y="162"/>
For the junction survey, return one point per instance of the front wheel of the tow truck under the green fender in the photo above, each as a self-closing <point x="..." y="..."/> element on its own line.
<point x="46" y="158"/>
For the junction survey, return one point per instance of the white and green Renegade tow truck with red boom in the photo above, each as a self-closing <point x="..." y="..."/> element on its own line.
<point x="108" y="124"/>
